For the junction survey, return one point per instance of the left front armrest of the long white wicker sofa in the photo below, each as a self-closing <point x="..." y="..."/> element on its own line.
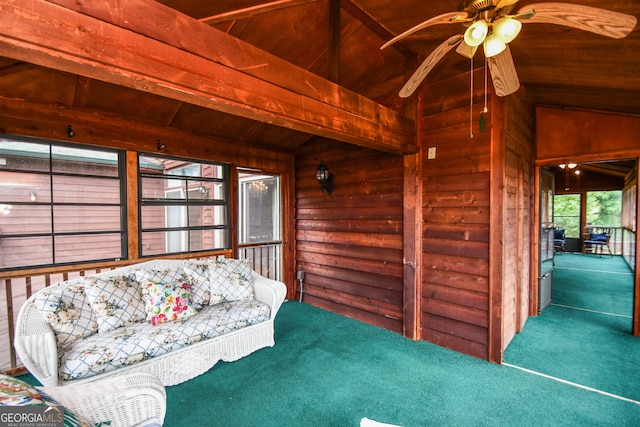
<point x="36" y="344"/>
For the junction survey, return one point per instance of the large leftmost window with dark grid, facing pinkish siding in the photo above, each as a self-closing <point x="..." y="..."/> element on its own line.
<point x="60" y="204"/>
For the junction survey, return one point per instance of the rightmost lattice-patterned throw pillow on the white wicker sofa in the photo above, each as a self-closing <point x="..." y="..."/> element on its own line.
<point x="231" y="279"/>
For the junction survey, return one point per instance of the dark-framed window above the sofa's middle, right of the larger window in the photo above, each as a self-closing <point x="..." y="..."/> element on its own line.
<point x="184" y="206"/>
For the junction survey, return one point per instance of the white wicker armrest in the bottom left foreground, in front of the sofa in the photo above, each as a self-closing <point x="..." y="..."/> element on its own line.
<point x="125" y="400"/>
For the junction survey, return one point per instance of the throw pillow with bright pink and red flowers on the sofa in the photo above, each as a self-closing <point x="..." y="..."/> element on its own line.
<point x="168" y="302"/>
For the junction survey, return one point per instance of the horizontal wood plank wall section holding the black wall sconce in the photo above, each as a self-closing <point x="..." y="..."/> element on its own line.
<point x="349" y="243"/>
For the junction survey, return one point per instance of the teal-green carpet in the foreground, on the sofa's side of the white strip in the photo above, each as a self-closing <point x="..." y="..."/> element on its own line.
<point x="329" y="370"/>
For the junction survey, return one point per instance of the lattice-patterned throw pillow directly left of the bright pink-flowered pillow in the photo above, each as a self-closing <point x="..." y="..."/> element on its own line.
<point x="116" y="301"/>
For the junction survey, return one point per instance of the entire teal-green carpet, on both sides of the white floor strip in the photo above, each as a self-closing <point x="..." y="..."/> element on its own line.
<point x="329" y="370"/>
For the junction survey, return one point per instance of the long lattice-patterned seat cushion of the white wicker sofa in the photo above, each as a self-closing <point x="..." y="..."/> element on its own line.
<point x="140" y="341"/>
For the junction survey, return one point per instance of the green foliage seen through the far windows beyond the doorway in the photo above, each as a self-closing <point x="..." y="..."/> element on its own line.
<point x="603" y="208"/>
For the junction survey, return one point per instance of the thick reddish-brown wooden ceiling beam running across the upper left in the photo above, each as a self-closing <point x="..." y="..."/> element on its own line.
<point x="144" y="45"/>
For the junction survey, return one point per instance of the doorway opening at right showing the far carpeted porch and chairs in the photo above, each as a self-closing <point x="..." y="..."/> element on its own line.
<point x="592" y="200"/>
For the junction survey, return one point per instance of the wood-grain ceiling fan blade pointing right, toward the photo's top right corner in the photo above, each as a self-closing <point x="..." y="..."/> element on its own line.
<point x="600" y="21"/>
